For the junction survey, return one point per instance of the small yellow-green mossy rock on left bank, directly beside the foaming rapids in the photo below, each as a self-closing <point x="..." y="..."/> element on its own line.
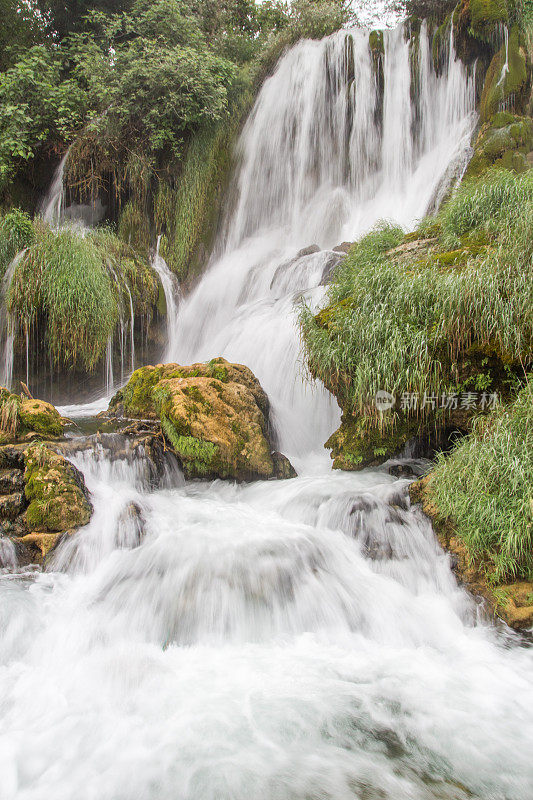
<point x="55" y="490"/>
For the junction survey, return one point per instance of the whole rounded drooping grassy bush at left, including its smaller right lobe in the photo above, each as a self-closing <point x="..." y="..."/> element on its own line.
<point x="71" y="291"/>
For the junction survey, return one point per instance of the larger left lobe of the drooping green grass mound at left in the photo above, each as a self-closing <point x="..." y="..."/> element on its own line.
<point x="63" y="286"/>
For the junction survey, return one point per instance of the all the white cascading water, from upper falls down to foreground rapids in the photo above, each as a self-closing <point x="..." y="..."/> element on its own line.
<point x="285" y="640"/>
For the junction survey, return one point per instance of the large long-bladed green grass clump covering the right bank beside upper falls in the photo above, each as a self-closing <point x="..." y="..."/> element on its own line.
<point x="408" y="324"/>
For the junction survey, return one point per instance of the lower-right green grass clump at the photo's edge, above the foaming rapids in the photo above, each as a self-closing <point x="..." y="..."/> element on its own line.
<point x="485" y="486"/>
